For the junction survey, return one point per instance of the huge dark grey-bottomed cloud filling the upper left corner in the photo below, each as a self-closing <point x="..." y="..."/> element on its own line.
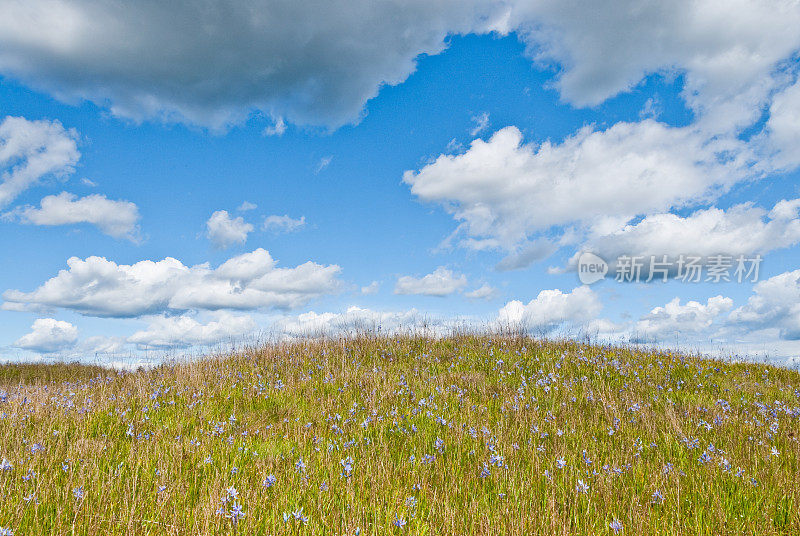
<point x="213" y="63"/>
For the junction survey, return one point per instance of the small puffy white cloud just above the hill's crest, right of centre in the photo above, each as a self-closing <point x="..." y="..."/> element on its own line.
<point x="552" y="309"/>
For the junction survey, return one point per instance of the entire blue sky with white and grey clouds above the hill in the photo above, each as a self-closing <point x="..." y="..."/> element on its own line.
<point x="175" y="174"/>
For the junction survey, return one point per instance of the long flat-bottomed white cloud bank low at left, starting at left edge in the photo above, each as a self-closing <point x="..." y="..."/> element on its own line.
<point x="99" y="287"/>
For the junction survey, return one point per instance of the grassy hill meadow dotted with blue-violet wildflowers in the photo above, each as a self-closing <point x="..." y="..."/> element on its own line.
<point x="462" y="435"/>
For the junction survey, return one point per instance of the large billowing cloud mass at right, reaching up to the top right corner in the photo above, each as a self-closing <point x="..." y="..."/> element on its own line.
<point x="504" y="192"/>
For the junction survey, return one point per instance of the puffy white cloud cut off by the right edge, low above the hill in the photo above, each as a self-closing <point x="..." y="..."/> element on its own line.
<point x="775" y="304"/>
